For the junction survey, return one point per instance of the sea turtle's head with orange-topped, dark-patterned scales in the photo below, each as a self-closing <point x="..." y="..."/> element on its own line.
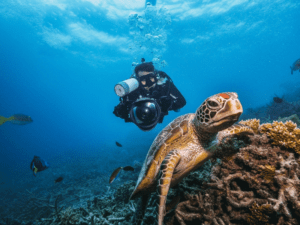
<point x="218" y="112"/>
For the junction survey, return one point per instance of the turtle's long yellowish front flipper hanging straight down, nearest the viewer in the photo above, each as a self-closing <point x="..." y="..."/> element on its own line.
<point x="167" y="168"/>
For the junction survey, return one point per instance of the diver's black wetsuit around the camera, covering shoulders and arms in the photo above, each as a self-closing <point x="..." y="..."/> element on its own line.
<point x="166" y="95"/>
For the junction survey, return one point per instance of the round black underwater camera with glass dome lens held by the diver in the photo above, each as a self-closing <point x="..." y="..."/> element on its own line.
<point x="145" y="113"/>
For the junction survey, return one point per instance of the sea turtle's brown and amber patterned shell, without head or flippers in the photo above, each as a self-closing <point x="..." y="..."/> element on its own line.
<point x="168" y="139"/>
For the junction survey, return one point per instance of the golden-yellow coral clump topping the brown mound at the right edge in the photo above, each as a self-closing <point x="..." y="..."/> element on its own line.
<point x="283" y="134"/>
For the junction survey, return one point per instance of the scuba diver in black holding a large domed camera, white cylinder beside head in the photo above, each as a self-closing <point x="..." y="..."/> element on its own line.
<point x="147" y="97"/>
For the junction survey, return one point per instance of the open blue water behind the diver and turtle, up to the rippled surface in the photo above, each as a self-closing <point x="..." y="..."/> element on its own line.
<point x="60" y="60"/>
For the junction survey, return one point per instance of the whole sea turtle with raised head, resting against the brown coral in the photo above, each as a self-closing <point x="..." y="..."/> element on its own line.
<point x="184" y="145"/>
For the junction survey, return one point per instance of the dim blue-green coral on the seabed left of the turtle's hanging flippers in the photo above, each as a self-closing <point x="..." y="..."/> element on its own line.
<point x="109" y="210"/>
